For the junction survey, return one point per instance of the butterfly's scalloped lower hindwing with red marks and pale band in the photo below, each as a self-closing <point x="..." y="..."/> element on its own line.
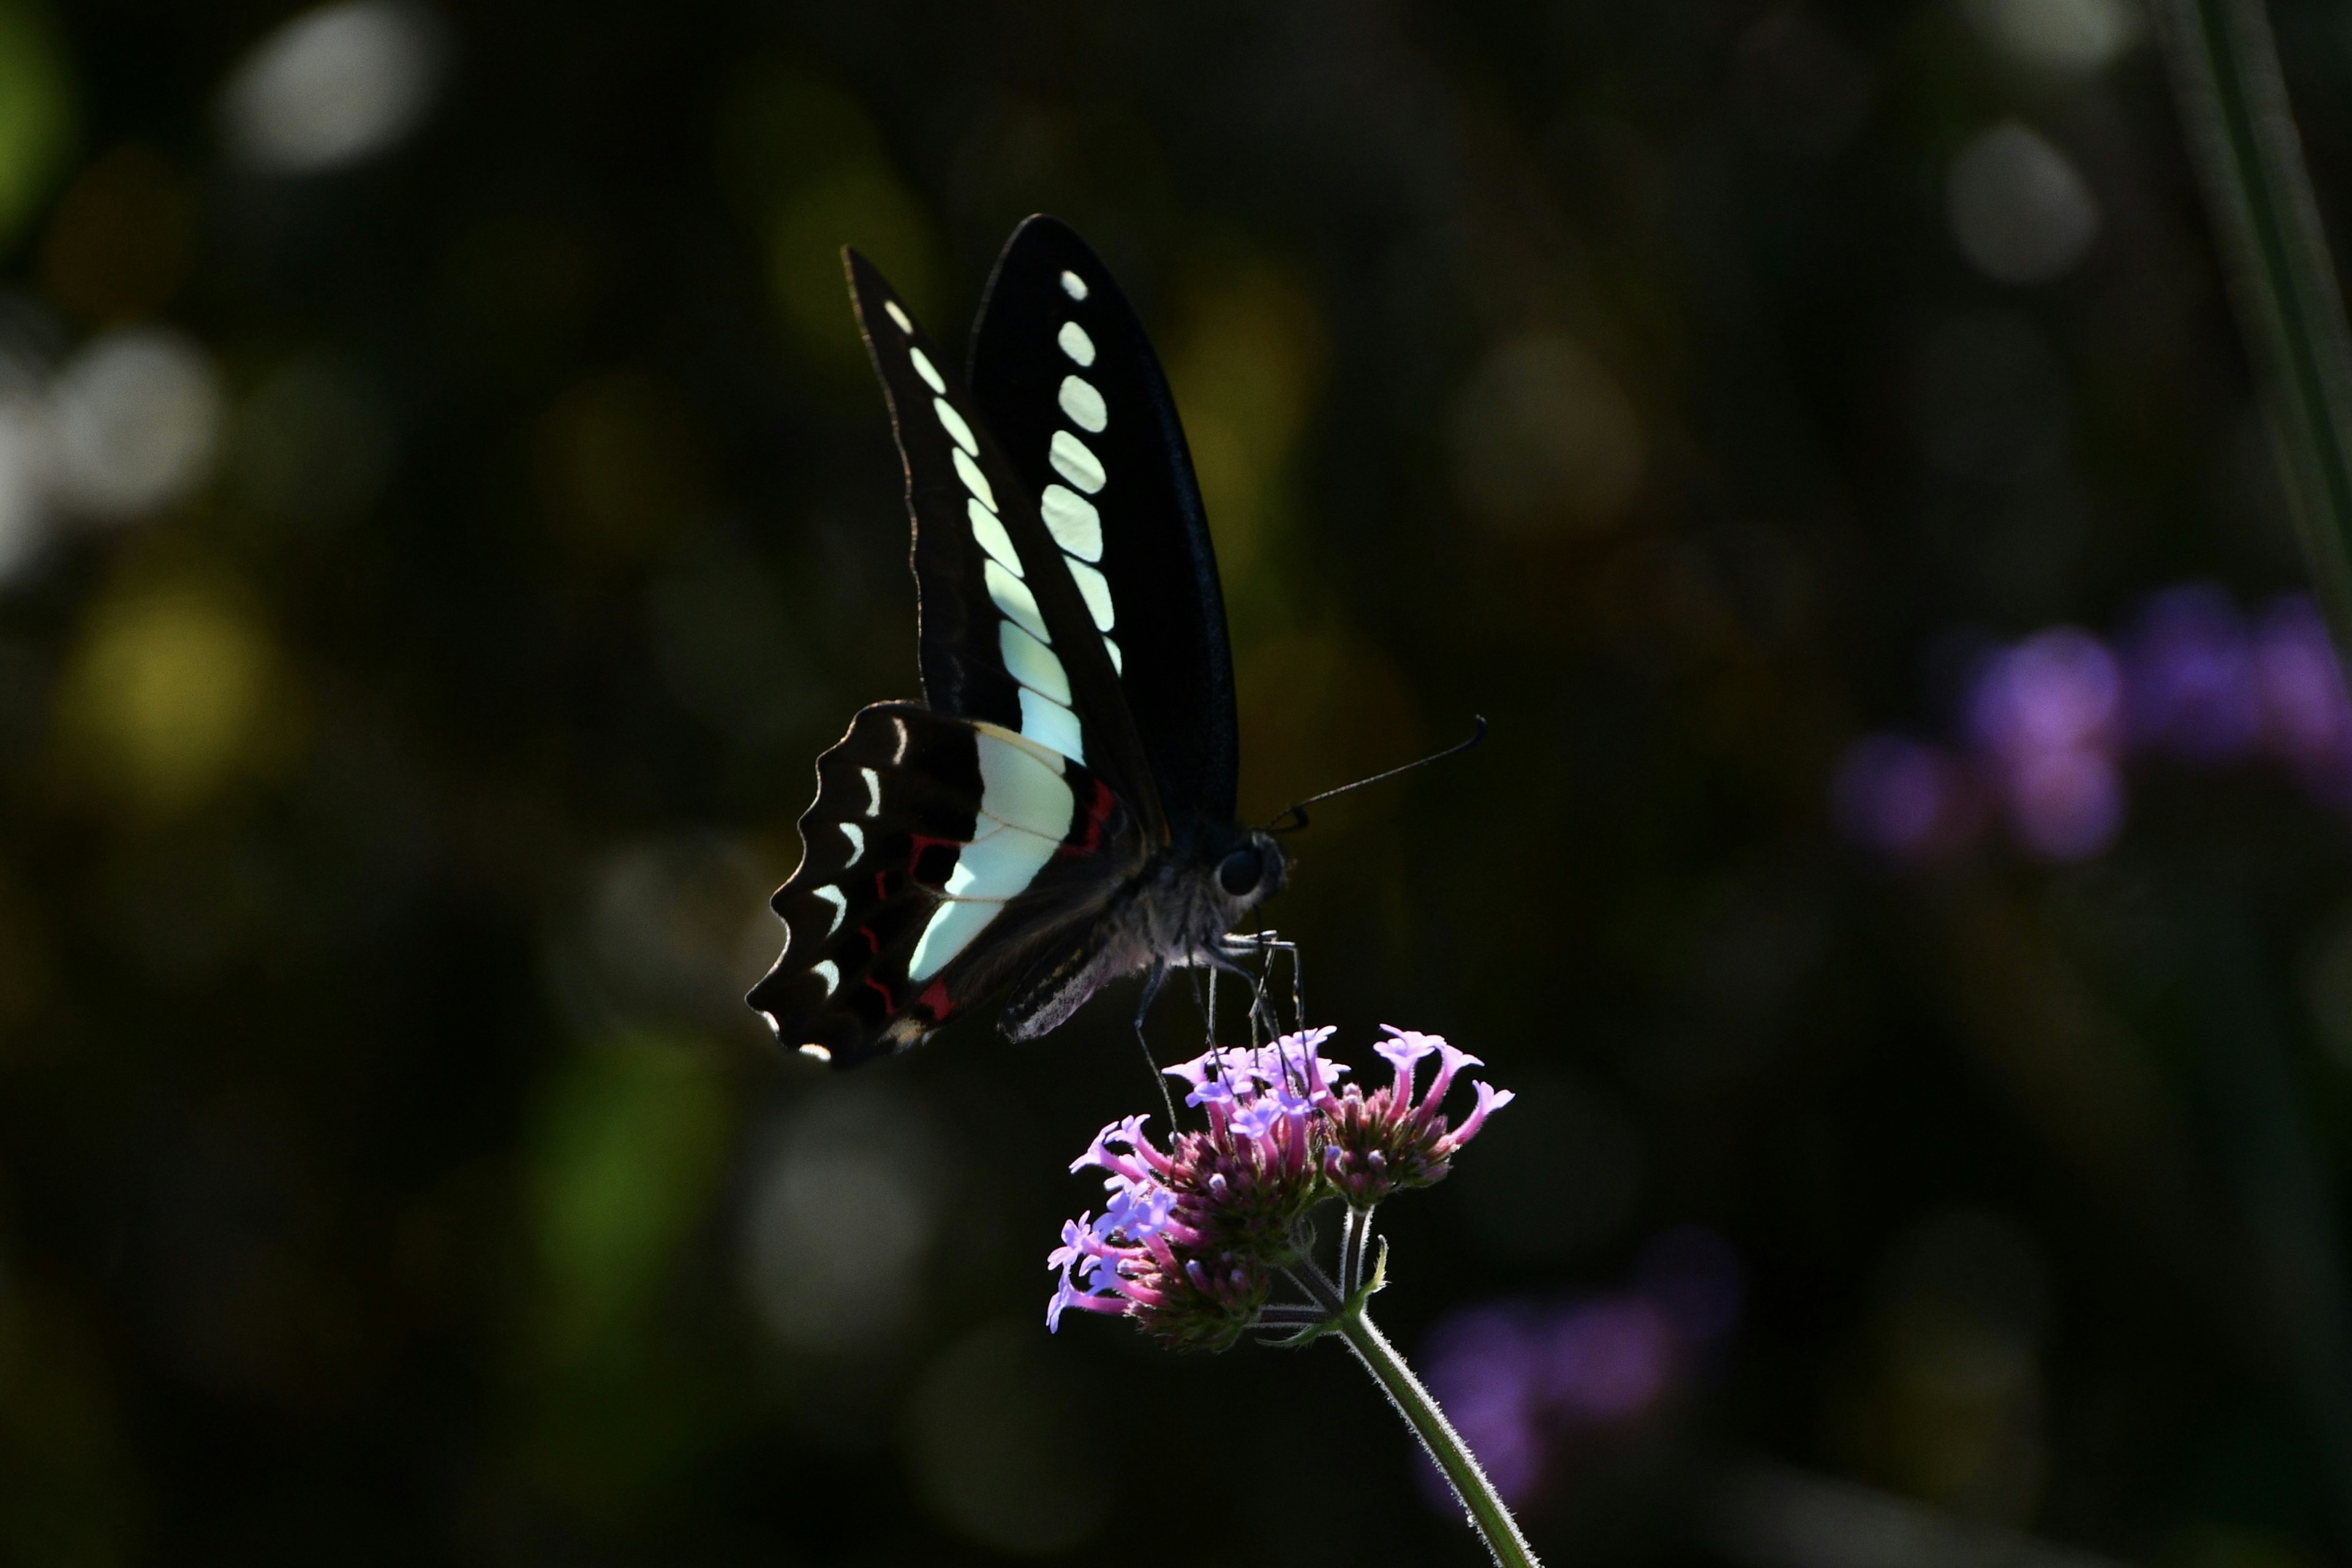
<point x="940" y="859"/>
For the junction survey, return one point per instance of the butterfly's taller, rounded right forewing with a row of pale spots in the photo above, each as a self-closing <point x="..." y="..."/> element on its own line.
<point x="1074" y="391"/>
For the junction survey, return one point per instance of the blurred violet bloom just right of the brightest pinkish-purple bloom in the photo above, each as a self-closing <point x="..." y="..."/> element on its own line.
<point x="2191" y="676"/>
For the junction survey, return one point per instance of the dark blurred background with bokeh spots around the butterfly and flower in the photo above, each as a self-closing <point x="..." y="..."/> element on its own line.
<point x="446" y="511"/>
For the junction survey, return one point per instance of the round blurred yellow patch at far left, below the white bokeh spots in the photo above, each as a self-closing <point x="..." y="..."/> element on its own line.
<point x="175" y="692"/>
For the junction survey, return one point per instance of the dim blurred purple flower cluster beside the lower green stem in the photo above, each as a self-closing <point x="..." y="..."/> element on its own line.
<point x="1521" y="1376"/>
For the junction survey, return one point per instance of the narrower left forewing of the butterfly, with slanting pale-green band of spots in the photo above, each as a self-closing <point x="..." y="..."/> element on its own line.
<point x="1005" y="626"/>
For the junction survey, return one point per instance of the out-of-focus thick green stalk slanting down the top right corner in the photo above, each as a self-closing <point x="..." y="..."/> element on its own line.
<point x="2243" y="135"/>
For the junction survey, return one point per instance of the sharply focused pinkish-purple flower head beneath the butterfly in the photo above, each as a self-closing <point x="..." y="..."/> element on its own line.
<point x="1194" y="1238"/>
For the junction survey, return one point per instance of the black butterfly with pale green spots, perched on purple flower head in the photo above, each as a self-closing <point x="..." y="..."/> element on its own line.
<point x="1060" y="808"/>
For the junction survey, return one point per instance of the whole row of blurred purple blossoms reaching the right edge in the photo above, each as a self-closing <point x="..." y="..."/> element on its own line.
<point x="2050" y="723"/>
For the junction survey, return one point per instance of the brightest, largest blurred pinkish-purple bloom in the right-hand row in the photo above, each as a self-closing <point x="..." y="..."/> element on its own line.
<point x="2045" y="716"/>
